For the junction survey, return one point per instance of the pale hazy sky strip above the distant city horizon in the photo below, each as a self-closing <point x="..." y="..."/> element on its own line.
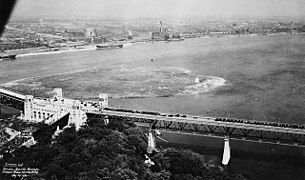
<point x="161" y="8"/>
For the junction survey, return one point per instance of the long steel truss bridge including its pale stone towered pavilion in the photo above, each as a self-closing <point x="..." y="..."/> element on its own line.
<point x="260" y="131"/>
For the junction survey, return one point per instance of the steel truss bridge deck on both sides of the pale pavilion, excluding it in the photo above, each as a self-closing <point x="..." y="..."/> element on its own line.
<point x="238" y="128"/>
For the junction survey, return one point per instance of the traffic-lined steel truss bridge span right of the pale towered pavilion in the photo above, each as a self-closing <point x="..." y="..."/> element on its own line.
<point x="241" y="129"/>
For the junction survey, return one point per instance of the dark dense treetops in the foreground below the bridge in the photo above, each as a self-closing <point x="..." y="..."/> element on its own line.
<point x="113" y="151"/>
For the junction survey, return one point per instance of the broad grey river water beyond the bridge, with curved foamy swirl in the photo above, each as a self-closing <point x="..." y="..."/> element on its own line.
<point x="260" y="77"/>
